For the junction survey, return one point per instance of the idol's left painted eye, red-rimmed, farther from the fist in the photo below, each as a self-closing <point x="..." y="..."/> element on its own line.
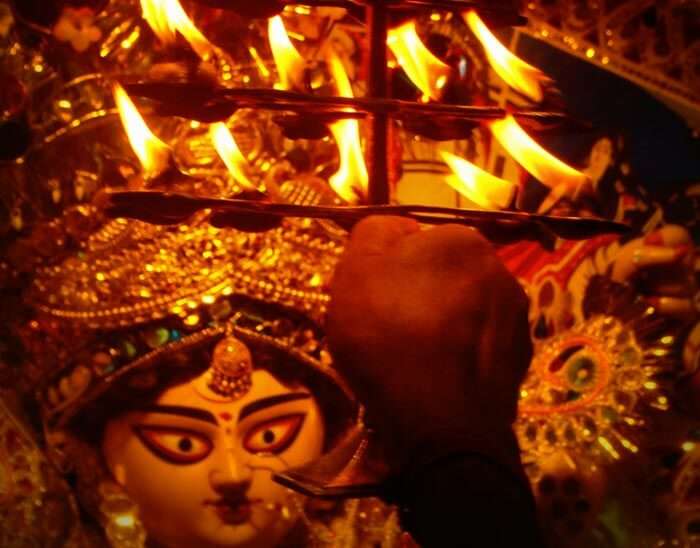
<point x="175" y="445"/>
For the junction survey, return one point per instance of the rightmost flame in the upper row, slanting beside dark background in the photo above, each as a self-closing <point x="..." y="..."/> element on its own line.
<point x="515" y="72"/>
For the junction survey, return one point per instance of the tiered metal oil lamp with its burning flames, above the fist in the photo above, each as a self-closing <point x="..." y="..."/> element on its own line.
<point x="308" y="116"/>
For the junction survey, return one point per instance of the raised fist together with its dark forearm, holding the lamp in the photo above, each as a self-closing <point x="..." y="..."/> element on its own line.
<point x="430" y="330"/>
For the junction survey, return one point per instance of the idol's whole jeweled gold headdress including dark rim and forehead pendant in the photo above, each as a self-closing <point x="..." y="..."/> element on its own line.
<point x="137" y="293"/>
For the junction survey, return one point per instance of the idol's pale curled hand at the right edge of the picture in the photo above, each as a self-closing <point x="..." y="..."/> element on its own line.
<point x="661" y="265"/>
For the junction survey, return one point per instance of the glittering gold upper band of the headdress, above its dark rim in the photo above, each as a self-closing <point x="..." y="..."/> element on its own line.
<point x="131" y="272"/>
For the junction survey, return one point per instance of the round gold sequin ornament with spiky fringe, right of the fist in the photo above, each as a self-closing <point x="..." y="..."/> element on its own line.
<point x="586" y="389"/>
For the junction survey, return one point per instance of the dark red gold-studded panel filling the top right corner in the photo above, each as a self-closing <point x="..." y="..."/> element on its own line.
<point x="653" y="44"/>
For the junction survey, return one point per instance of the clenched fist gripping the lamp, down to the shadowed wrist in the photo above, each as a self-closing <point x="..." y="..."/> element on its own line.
<point x="430" y="330"/>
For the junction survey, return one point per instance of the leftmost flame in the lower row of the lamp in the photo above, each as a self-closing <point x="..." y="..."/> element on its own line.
<point x="153" y="153"/>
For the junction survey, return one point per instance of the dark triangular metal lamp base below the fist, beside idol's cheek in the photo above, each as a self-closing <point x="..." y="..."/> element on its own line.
<point x="353" y="468"/>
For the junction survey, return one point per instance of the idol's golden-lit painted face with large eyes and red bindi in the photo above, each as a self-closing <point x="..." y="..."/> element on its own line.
<point x="199" y="461"/>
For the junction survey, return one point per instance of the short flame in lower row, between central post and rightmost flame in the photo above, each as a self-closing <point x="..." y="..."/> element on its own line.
<point x="477" y="185"/>
